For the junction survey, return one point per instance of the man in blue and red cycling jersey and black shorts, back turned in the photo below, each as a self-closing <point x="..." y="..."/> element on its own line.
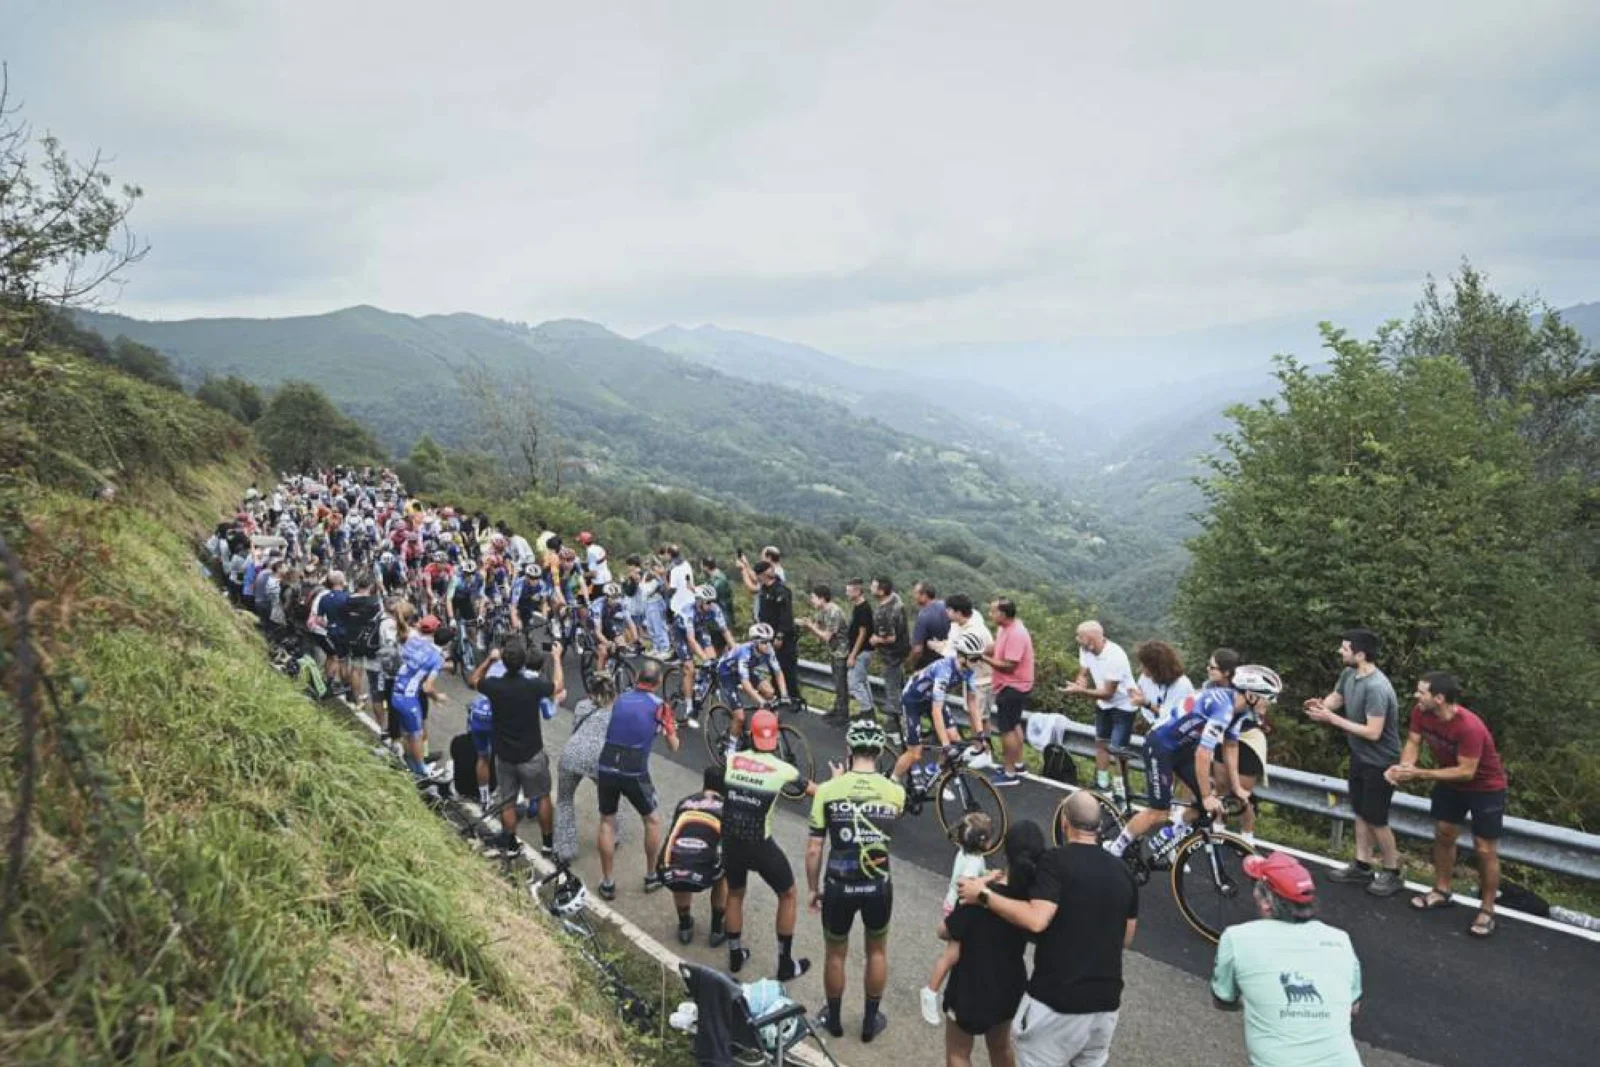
<point x="625" y="772"/>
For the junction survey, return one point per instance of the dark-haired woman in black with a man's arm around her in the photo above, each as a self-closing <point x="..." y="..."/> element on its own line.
<point x="990" y="973"/>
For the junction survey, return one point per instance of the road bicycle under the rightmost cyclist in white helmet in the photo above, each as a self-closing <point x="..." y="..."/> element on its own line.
<point x="1207" y="866"/>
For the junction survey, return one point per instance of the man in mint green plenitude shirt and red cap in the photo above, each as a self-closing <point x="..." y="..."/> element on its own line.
<point x="1298" y="980"/>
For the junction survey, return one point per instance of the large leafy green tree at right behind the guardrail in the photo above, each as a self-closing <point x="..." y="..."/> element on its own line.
<point x="1391" y="495"/>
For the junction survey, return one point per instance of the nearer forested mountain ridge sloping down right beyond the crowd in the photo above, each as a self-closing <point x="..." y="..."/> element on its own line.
<point x="628" y="414"/>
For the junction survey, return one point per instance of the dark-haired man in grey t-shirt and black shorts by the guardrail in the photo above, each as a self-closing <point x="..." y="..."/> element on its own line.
<point x="1366" y="708"/>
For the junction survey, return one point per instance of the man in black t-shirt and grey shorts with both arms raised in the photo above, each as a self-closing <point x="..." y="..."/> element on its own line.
<point x="518" y="703"/>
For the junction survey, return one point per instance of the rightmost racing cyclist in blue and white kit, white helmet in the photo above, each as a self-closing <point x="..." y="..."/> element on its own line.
<point x="1186" y="745"/>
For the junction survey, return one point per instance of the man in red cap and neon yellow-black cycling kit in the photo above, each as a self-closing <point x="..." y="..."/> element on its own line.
<point x="753" y="783"/>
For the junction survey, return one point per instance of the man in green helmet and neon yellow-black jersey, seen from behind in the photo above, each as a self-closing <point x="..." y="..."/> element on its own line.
<point x="855" y="813"/>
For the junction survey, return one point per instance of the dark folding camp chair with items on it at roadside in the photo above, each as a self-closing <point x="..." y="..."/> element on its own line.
<point x="727" y="1034"/>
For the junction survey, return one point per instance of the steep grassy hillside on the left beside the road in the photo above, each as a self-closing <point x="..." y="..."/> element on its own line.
<point x="218" y="871"/>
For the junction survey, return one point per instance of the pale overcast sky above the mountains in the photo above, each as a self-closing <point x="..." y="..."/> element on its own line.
<point x="860" y="177"/>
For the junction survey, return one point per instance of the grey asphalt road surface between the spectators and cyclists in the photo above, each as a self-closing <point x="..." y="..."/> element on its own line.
<point x="1433" y="994"/>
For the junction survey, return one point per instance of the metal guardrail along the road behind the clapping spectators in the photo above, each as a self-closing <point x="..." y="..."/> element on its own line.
<point x="1522" y="841"/>
